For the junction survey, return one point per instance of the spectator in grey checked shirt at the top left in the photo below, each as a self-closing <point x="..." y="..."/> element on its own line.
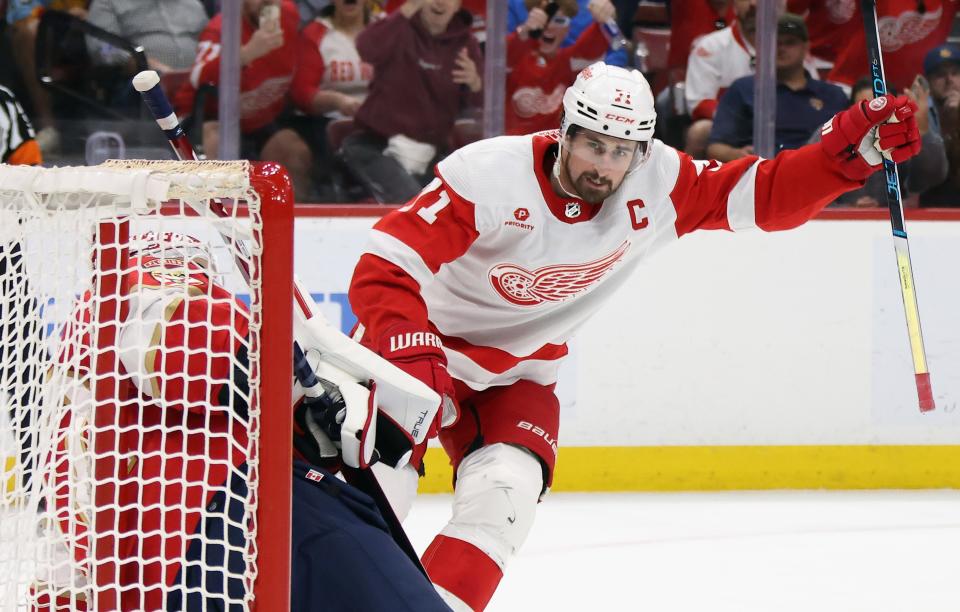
<point x="167" y="30"/>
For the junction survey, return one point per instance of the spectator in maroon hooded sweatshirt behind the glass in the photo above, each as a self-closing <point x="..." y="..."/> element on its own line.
<point x="426" y="69"/>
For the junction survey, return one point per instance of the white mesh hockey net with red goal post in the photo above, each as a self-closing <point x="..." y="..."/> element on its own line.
<point x="137" y="451"/>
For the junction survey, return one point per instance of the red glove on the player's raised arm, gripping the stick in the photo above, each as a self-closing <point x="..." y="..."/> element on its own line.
<point x="859" y="138"/>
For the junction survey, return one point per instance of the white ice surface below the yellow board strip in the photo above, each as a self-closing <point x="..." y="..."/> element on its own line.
<point x="809" y="551"/>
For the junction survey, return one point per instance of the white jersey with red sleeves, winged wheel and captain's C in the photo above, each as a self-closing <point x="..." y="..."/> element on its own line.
<point x="506" y="271"/>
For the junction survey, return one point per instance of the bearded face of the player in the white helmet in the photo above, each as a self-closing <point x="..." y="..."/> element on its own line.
<point x="596" y="163"/>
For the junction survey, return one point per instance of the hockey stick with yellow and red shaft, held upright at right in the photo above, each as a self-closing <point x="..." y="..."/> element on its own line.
<point x="895" y="203"/>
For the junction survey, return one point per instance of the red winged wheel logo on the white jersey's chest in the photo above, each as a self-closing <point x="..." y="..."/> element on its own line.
<point x="551" y="283"/>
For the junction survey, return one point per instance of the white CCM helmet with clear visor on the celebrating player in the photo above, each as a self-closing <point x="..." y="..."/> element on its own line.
<point x="612" y="102"/>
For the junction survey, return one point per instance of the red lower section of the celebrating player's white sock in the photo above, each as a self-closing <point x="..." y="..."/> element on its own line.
<point x="462" y="569"/>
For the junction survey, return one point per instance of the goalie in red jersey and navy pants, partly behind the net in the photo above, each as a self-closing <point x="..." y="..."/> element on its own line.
<point x="180" y="495"/>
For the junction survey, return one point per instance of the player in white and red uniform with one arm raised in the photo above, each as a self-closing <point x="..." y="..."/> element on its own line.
<point x="476" y="285"/>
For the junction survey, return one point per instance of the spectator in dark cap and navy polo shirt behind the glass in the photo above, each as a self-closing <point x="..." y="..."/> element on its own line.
<point x="803" y="103"/>
